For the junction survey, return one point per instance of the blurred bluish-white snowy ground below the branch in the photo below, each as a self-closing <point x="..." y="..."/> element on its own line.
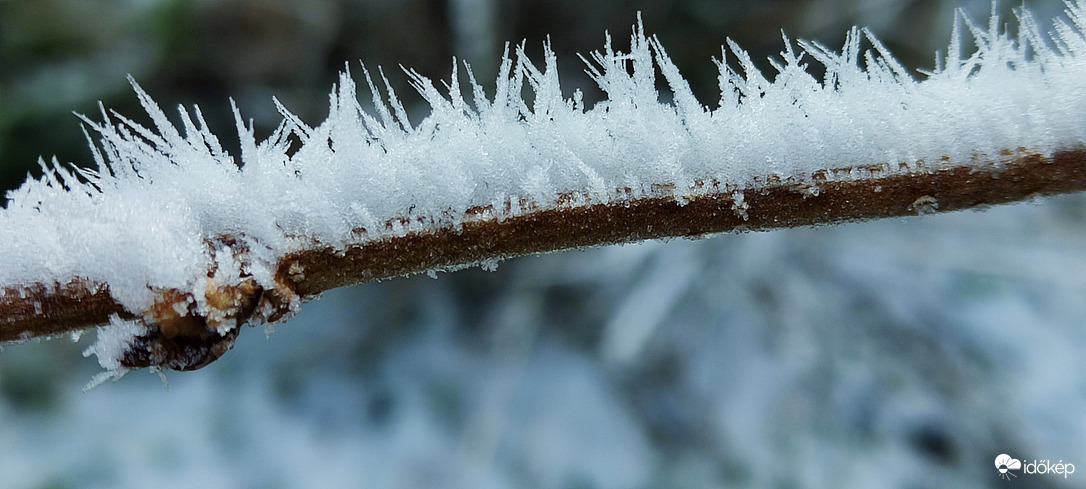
<point x="893" y="354"/>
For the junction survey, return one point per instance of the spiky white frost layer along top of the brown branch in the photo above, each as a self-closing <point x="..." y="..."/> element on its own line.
<point x="143" y="219"/>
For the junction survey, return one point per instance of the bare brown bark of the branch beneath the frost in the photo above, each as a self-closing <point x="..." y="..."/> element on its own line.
<point x="830" y="197"/>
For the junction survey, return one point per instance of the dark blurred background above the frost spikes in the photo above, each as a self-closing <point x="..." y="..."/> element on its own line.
<point x="60" y="57"/>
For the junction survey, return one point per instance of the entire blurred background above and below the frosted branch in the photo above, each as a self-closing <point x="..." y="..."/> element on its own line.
<point x="903" y="354"/>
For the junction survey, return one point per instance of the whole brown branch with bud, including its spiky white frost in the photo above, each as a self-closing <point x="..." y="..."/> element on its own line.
<point x="176" y="244"/>
